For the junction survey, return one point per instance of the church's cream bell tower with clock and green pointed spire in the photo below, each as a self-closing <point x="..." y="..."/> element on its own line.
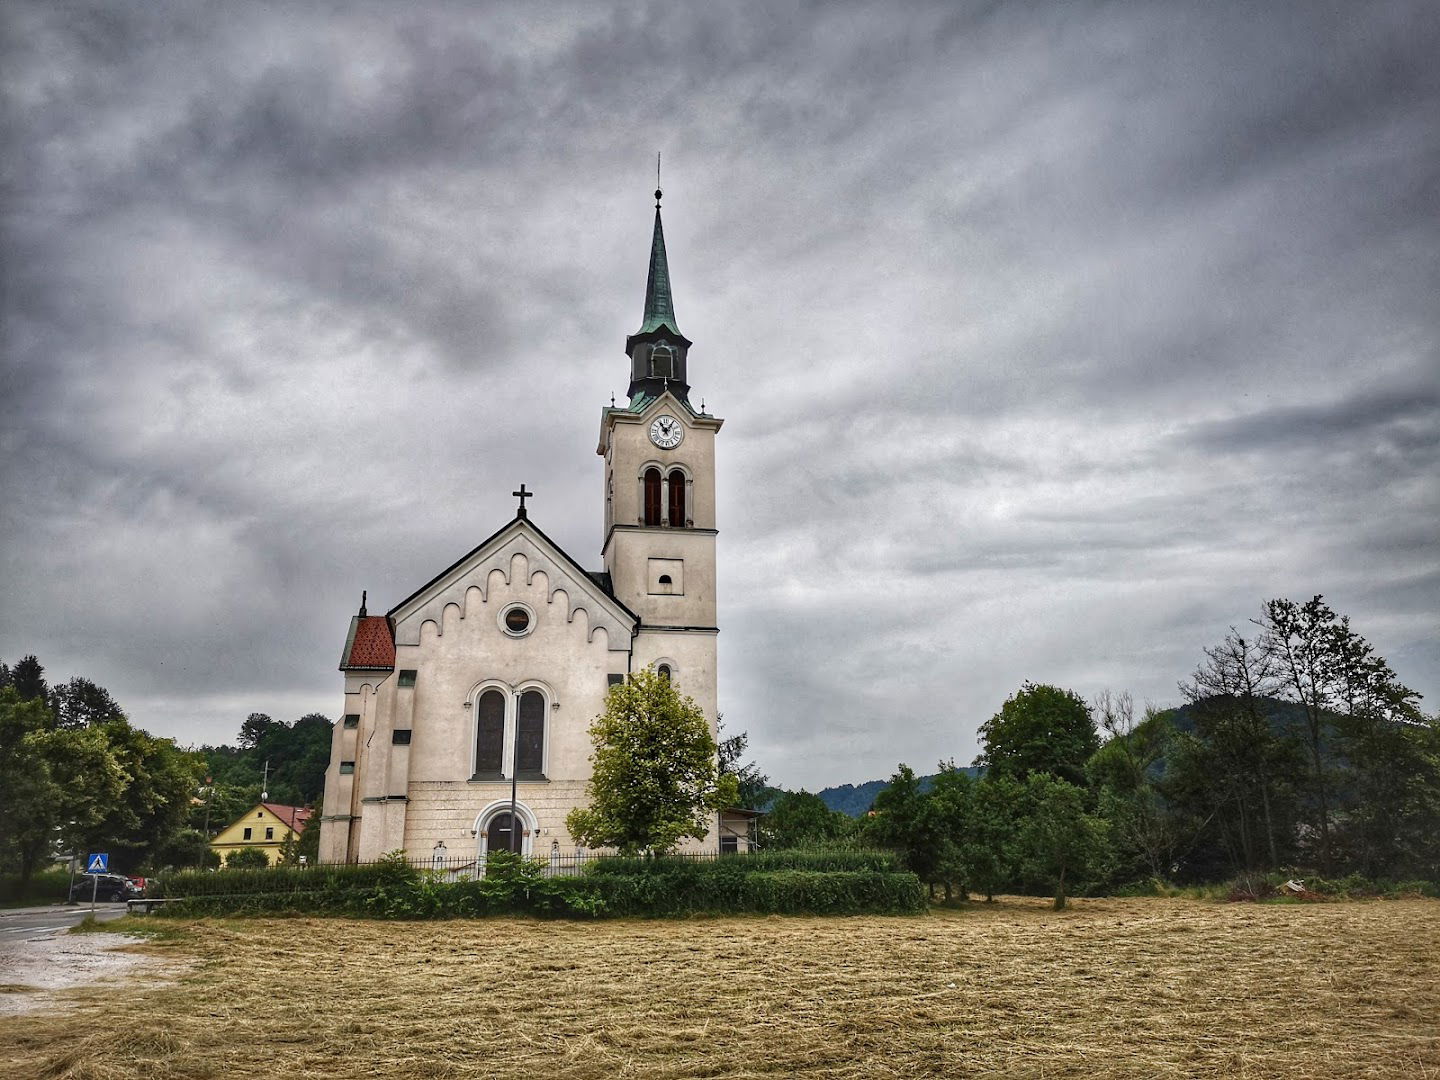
<point x="660" y="505"/>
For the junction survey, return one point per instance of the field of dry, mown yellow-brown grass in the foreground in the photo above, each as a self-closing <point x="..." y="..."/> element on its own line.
<point x="1150" y="989"/>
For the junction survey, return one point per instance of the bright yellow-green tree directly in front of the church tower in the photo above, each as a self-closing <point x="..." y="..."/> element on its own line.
<point x="654" y="780"/>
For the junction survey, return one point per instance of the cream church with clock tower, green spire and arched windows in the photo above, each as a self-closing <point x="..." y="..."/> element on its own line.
<point x="480" y="686"/>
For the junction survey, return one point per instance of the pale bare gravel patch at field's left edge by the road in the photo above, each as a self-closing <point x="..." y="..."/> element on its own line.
<point x="38" y="968"/>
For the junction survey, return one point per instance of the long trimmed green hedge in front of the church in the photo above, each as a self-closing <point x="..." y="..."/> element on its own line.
<point x="516" y="886"/>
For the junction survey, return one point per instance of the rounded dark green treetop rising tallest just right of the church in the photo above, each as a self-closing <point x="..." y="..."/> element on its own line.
<point x="1040" y="731"/>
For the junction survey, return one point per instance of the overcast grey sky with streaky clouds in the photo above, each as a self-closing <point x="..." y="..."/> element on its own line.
<point x="1052" y="339"/>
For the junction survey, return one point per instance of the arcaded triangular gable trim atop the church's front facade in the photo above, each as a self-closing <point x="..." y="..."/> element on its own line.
<point x="564" y="575"/>
